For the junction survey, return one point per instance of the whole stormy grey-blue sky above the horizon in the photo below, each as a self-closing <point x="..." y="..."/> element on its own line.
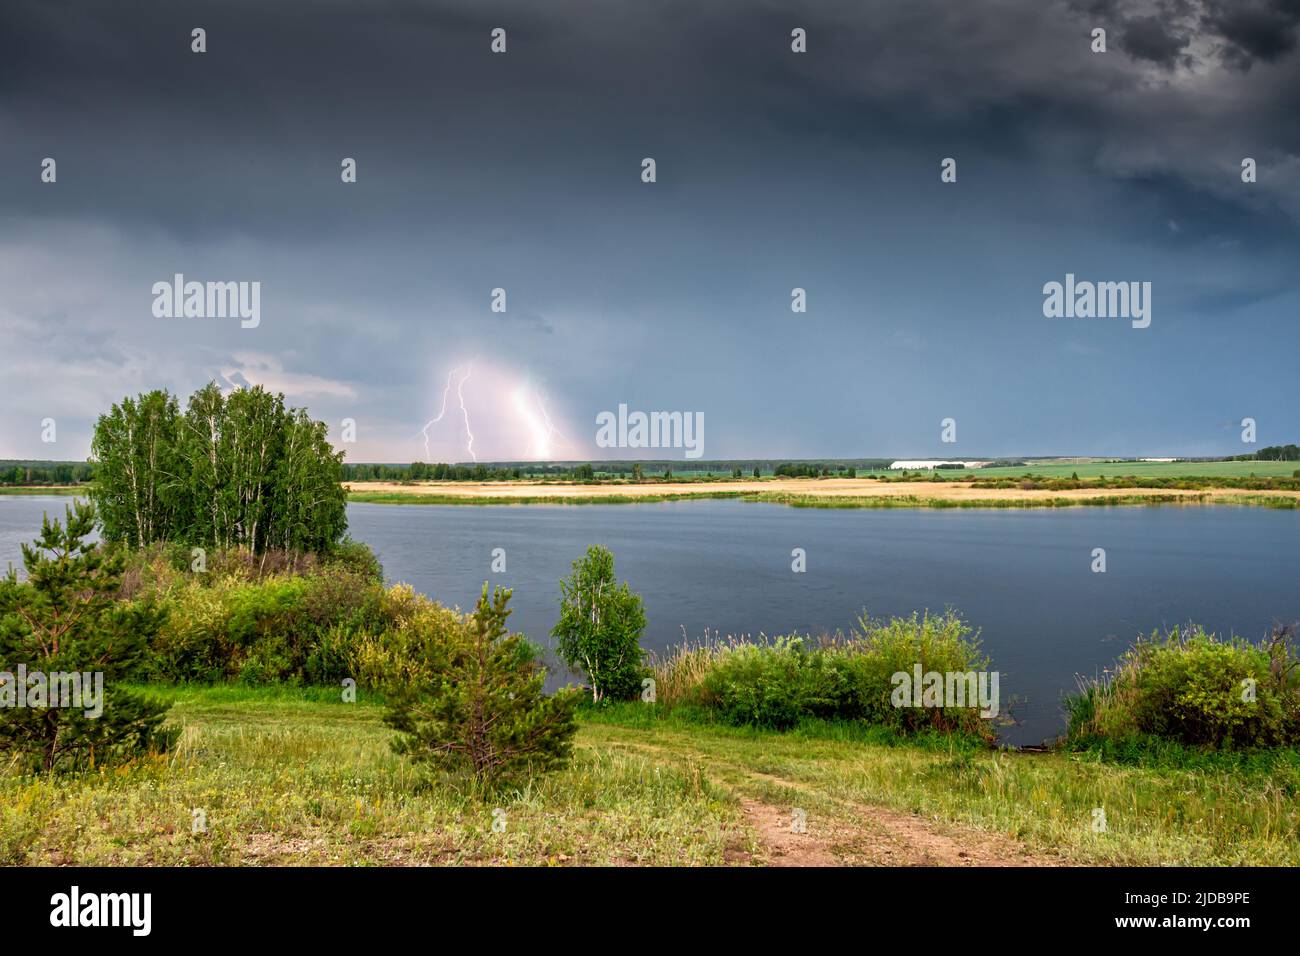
<point x="775" y="171"/>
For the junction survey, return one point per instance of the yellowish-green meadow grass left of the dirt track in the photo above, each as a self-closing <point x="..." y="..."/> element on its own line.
<point x="297" y="777"/>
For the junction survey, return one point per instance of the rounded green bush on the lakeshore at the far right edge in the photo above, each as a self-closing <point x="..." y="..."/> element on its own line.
<point x="1190" y="687"/>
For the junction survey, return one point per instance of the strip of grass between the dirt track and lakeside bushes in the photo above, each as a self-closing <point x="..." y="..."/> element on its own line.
<point x="1243" y="815"/>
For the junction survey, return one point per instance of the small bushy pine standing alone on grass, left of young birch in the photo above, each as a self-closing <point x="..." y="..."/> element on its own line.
<point x="479" y="706"/>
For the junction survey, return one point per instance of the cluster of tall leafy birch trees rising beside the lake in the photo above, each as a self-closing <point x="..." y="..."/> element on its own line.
<point x="228" y="471"/>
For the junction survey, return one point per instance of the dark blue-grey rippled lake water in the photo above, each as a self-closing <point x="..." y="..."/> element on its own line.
<point x="1022" y="577"/>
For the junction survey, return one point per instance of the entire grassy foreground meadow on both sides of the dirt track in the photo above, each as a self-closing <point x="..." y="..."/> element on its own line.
<point x="297" y="777"/>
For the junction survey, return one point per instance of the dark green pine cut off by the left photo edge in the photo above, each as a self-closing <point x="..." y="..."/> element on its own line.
<point x="66" y="620"/>
